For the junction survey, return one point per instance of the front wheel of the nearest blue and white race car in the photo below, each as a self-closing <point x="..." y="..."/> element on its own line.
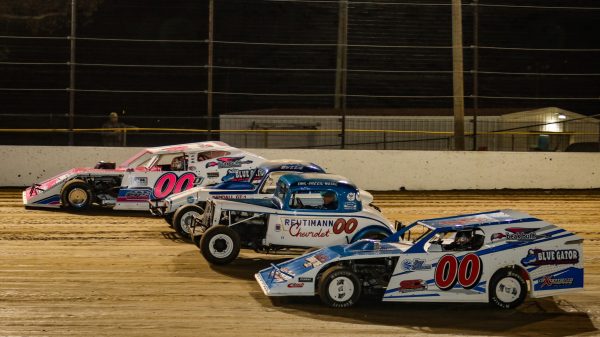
<point x="339" y="288"/>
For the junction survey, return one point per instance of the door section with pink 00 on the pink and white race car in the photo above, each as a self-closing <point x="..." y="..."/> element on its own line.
<point x="158" y="178"/>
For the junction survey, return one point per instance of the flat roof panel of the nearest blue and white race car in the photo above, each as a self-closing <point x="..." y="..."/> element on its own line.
<point x="467" y="221"/>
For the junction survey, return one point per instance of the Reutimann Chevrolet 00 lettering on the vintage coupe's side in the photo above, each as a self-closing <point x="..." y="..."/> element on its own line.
<point x="319" y="228"/>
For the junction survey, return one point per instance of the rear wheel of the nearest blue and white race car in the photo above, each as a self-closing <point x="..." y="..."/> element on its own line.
<point x="508" y="289"/>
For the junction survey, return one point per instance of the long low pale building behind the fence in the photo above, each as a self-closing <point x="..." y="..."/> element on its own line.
<point x="546" y="129"/>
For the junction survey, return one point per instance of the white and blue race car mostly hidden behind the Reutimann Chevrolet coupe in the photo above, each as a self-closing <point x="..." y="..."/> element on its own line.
<point x="180" y="209"/>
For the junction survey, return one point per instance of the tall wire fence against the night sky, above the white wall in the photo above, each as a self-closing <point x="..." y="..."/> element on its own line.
<point x="191" y="71"/>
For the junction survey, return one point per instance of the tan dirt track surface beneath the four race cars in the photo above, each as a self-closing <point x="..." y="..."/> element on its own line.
<point x="127" y="274"/>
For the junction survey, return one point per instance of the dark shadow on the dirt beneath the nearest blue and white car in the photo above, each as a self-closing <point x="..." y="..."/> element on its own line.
<point x="533" y="318"/>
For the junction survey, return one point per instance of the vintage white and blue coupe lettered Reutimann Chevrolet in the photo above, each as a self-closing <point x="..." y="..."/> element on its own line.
<point x="307" y="210"/>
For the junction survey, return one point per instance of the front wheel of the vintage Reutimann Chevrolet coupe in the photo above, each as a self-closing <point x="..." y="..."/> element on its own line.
<point x="220" y="245"/>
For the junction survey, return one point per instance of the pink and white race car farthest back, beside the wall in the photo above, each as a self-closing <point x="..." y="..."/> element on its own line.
<point x="153" y="173"/>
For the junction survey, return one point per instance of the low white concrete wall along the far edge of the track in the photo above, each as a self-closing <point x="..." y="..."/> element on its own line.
<point x="369" y="169"/>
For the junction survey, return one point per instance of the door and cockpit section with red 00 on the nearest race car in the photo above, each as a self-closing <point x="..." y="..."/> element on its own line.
<point x="439" y="269"/>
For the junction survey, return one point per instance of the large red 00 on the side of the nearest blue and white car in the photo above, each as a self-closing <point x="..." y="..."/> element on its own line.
<point x="449" y="271"/>
